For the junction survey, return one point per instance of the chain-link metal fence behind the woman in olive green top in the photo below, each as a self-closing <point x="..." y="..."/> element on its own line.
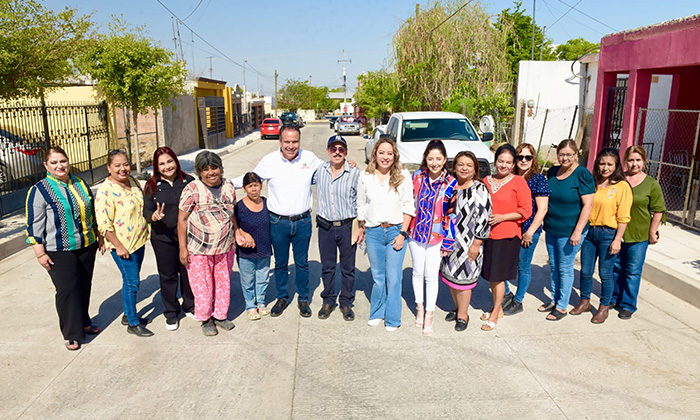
<point x="670" y="138"/>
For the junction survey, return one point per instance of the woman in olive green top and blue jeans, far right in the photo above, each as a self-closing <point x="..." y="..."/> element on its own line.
<point x="648" y="212"/>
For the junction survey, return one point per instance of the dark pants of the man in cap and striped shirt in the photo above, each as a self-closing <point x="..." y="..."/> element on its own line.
<point x="330" y="241"/>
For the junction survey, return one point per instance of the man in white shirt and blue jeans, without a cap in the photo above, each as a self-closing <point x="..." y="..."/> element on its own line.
<point x="289" y="172"/>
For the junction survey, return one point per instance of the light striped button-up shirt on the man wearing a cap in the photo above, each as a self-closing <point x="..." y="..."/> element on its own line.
<point x="337" y="197"/>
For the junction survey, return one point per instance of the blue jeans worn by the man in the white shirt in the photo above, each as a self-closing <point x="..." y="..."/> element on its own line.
<point x="298" y="233"/>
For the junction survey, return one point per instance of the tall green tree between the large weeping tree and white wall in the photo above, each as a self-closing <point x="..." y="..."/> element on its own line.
<point x="517" y="26"/>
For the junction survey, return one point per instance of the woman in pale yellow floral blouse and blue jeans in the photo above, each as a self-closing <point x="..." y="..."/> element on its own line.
<point x="119" y="212"/>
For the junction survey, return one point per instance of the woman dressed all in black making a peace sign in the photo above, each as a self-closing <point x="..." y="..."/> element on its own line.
<point x="161" y="198"/>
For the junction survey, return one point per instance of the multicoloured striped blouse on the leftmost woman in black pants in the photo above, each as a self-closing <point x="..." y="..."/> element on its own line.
<point x="60" y="215"/>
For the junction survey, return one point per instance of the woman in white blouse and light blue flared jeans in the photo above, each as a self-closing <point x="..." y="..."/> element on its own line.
<point x="384" y="210"/>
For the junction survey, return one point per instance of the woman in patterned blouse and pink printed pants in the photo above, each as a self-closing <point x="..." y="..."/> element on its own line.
<point x="206" y="231"/>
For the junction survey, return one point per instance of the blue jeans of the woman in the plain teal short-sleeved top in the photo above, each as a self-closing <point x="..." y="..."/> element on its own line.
<point x="561" y="264"/>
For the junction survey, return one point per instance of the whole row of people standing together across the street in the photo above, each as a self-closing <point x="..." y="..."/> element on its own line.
<point x="456" y="226"/>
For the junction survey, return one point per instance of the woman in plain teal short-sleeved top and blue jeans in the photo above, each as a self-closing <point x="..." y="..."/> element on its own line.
<point x="566" y="223"/>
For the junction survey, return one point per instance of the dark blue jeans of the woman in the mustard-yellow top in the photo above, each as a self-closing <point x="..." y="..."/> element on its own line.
<point x="597" y="246"/>
